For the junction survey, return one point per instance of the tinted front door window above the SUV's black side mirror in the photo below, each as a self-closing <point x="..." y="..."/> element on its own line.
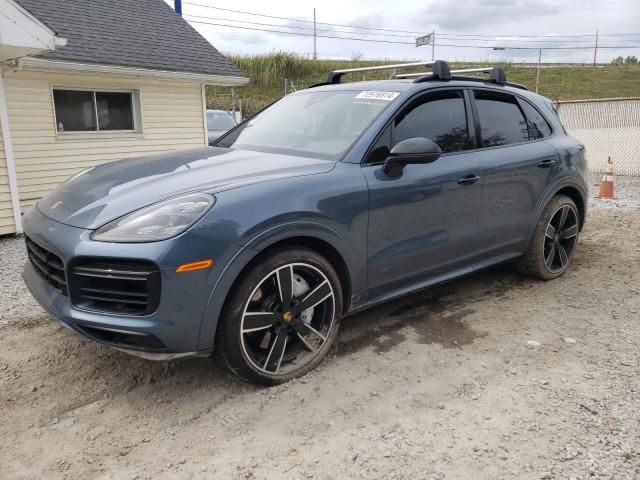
<point x="441" y="118"/>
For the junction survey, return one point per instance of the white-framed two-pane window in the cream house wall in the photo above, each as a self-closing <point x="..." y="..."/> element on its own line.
<point x="93" y="110"/>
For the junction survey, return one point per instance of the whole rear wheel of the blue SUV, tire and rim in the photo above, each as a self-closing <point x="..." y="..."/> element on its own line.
<point x="554" y="240"/>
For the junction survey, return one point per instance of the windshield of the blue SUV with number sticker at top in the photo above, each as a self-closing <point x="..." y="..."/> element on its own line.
<point x="311" y="124"/>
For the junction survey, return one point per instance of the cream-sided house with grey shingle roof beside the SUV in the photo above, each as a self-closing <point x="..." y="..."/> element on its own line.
<point x="88" y="81"/>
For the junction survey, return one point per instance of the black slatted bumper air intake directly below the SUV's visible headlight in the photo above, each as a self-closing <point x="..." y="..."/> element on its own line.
<point x="119" y="287"/>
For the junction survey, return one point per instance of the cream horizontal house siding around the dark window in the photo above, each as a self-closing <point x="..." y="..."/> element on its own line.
<point x="171" y="114"/>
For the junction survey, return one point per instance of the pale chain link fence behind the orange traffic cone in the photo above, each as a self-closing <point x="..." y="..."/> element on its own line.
<point x="608" y="128"/>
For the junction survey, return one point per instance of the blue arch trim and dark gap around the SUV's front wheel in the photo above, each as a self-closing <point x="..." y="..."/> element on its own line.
<point x="319" y="238"/>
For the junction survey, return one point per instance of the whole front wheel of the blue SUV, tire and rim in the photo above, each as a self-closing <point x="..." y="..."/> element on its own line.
<point x="261" y="339"/>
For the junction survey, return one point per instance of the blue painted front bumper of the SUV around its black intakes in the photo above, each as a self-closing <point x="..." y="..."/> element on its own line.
<point x="176" y="323"/>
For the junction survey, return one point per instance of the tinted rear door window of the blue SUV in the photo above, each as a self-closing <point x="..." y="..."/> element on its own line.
<point x="501" y="119"/>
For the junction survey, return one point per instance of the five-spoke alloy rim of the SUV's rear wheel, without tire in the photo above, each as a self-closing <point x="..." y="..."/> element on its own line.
<point x="561" y="236"/>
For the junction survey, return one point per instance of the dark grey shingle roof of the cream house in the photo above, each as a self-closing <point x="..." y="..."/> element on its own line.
<point x="139" y="33"/>
